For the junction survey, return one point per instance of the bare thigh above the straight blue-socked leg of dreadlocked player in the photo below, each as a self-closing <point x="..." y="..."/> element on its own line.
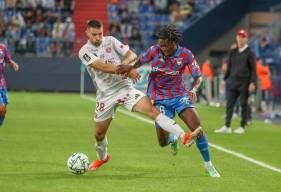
<point x="191" y="118"/>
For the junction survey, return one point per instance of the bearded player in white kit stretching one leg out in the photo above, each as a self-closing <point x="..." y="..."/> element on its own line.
<point x="101" y="55"/>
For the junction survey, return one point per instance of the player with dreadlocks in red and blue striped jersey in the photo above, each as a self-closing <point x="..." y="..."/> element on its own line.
<point x="167" y="91"/>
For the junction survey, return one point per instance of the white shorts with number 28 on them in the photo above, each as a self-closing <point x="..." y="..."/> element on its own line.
<point x="106" y="105"/>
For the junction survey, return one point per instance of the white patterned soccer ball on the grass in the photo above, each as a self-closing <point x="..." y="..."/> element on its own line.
<point x="78" y="163"/>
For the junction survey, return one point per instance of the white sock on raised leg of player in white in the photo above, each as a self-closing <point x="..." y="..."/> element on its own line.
<point x="169" y="125"/>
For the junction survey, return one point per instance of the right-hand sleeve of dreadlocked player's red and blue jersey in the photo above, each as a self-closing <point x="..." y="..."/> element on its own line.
<point x="192" y="64"/>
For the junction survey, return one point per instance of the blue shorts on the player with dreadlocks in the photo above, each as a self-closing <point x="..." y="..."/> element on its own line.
<point x="170" y="107"/>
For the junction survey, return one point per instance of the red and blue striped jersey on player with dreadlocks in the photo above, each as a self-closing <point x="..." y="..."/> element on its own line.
<point x="166" y="77"/>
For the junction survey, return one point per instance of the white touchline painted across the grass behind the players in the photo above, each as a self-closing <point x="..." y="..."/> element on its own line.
<point x="236" y="154"/>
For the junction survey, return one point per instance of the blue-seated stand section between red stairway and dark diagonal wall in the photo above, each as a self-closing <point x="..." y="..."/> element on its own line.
<point x="140" y="31"/>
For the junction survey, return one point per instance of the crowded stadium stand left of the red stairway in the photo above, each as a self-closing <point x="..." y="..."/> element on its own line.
<point x="41" y="28"/>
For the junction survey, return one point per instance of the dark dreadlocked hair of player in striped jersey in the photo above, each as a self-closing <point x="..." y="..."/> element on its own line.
<point x="171" y="33"/>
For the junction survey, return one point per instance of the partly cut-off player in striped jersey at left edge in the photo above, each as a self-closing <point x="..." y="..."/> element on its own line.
<point x="4" y="59"/>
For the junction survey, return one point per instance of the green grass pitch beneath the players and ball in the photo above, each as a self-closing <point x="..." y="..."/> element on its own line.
<point x="42" y="130"/>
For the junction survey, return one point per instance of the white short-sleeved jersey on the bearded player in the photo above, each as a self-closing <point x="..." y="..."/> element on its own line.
<point x="110" y="51"/>
